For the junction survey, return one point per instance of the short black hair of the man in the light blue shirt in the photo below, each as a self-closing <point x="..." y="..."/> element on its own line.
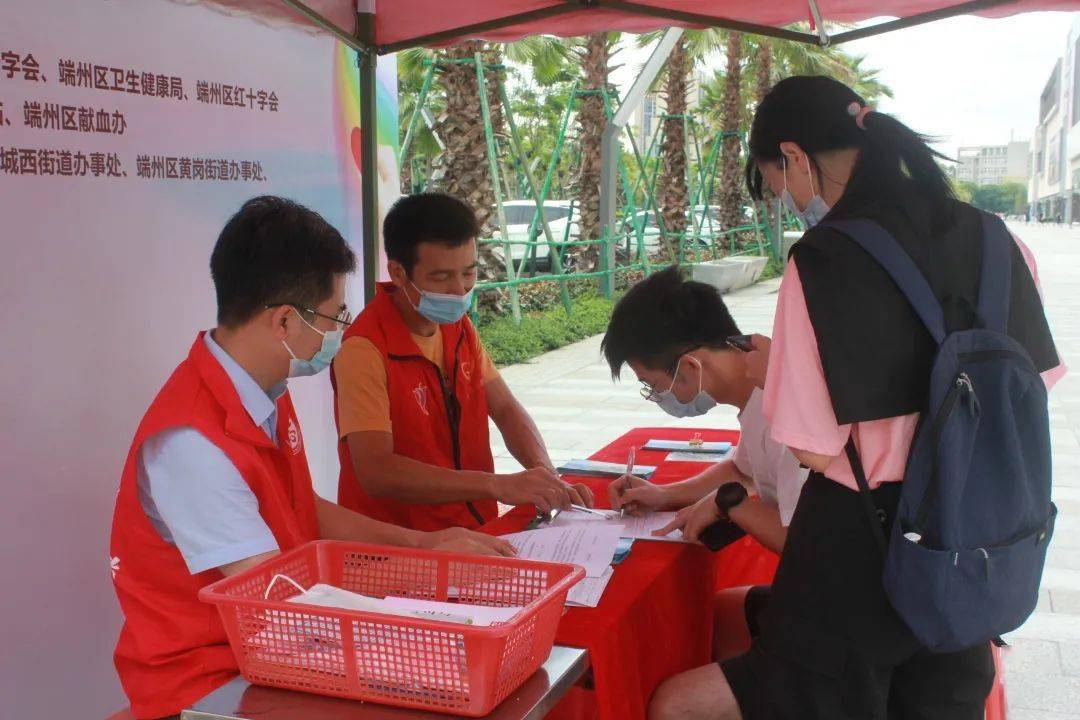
<point x="276" y="251"/>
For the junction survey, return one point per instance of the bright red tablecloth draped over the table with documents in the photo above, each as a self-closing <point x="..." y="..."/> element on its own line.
<point x="655" y="619"/>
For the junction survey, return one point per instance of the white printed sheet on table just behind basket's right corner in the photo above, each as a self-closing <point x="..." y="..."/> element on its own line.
<point x="591" y="546"/>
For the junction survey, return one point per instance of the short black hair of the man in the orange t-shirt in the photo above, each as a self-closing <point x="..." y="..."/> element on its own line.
<point x="426" y="218"/>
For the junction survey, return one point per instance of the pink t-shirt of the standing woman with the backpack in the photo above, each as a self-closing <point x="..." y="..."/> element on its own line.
<point x="801" y="413"/>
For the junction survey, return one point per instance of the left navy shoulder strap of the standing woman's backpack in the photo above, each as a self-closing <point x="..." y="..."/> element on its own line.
<point x="895" y="260"/>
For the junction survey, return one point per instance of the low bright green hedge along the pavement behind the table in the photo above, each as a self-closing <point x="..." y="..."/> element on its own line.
<point x="541" y="332"/>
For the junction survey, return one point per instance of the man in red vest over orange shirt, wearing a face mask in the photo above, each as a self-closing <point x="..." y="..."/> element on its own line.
<point x="415" y="389"/>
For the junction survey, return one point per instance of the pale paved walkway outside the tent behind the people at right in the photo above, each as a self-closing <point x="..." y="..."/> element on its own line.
<point x="571" y="395"/>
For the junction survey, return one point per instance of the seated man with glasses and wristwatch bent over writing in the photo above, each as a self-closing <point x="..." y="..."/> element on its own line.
<point x="674" y="335"/>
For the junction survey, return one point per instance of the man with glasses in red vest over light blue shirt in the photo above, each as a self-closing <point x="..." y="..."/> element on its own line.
<point x="217" y="480"/>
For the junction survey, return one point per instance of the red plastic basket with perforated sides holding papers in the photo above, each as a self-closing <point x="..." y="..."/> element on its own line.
<point x="455" y="669"/>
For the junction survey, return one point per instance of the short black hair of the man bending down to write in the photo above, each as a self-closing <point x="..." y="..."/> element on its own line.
<point x="663" y="318"/>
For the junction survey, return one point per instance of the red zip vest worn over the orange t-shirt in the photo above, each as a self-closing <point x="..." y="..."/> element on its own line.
<point x="438" y="419"/>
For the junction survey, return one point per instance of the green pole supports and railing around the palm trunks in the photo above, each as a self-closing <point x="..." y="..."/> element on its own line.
<point x="639" y="244"/>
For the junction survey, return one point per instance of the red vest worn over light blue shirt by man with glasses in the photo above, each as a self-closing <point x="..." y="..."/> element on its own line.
<point x="172" y="648"/>
